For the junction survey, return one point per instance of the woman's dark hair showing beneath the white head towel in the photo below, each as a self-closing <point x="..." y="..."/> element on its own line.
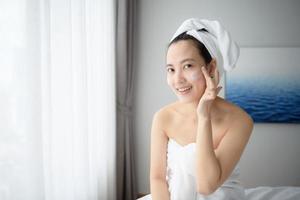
<point x="199" y="45"/>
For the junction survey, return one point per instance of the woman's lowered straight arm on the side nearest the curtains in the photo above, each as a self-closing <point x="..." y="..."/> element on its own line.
<point x="158" y="162"/>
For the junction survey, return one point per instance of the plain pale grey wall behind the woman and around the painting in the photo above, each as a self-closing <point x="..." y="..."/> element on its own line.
<point x="272" y="156"/>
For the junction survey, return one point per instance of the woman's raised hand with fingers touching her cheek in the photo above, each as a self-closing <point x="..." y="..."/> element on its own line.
<point x="210" y="93"/>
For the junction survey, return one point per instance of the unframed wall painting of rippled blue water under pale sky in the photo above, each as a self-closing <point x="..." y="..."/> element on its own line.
<point x="266" y="84"/>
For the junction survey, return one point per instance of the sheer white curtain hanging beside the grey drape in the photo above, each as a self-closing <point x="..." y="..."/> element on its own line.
<point x="57" y="100"/>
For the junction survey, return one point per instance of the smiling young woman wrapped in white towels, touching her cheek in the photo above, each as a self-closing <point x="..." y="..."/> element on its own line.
<point x="197" y="141"/>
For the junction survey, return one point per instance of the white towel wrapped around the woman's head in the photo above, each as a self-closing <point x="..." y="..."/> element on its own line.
<point x="217" y="41"/>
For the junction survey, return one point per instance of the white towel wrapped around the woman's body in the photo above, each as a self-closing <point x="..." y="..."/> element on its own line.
<point x="181" y="176"/>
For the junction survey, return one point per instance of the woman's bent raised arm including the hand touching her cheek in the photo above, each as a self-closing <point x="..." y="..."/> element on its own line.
<point x="213" y="167"/>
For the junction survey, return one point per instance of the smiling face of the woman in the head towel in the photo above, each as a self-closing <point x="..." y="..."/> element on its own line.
<point x="184" y="74"/>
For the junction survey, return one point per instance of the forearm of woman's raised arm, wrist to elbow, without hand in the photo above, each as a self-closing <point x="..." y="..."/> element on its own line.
<point x="208" y="170"/>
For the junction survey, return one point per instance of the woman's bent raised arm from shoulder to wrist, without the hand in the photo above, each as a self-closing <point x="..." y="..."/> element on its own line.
<point x="213" y="167"/>
